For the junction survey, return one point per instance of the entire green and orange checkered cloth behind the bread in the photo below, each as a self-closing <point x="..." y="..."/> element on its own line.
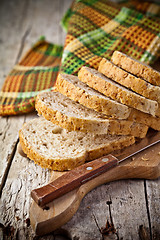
<point x="95" y="28"/>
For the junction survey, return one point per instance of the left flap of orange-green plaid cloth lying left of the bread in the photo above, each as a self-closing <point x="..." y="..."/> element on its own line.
<point x="36" y="72"/>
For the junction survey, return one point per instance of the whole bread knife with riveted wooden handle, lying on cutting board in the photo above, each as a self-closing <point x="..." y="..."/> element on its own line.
<point x="84" y="173"/>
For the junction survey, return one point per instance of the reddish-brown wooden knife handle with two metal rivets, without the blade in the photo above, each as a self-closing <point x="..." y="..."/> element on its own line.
<point x="73" y="179"/>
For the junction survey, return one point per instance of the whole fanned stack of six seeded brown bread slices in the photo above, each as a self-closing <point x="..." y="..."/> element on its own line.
<point x="91" y="115"/>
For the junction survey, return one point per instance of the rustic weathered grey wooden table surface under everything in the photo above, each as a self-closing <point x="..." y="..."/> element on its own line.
<point x="132" y="205"/>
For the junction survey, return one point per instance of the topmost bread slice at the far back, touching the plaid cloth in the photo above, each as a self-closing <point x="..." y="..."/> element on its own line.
<point x="135" y="67"/>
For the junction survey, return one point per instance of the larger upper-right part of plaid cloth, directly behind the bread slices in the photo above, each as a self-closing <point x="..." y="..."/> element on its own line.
<point x="96" y="30"/>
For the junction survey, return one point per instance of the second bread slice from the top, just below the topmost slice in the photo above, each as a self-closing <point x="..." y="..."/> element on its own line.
<point x="128" y="80"/>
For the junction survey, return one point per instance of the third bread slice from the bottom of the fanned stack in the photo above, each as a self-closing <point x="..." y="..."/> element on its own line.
<point x="78" y="91"/>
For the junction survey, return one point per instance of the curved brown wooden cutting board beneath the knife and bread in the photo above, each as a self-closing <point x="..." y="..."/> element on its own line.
<point x="145" y="165"/>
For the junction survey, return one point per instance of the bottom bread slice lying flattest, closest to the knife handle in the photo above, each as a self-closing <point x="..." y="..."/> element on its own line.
<point x="58" y="149"/>
